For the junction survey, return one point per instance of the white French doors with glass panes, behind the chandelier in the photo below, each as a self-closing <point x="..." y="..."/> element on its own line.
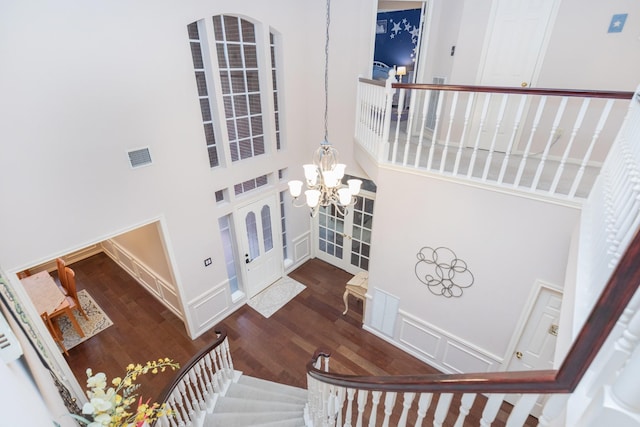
<point x="346" y="241"/>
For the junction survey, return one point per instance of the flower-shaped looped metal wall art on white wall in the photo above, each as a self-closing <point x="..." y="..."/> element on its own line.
<point x="442" y="271"/>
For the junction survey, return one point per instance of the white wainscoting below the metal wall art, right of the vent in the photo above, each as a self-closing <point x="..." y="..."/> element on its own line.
<point x="442" y="350"/>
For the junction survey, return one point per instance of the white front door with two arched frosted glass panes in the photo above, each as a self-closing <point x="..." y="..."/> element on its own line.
<point x="259" y="243"/>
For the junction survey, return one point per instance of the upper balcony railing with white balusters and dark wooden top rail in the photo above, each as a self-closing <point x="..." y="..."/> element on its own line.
<point x="543" y="141"/>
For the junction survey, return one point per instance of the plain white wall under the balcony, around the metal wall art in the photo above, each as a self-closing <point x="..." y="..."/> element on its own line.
<point x="508" y="243"/>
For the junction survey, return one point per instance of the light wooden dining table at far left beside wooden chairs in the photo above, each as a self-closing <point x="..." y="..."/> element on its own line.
<point x="47" y="297"/>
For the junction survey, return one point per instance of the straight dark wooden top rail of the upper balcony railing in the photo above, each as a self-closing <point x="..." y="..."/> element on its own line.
<point x="584" y="93"/>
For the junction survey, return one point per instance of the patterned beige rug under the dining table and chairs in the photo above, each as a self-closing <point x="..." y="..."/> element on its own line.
<point x="98" y="321"/>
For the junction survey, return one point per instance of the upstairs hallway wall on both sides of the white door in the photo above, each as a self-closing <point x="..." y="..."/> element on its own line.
<point x="580" y="55"/>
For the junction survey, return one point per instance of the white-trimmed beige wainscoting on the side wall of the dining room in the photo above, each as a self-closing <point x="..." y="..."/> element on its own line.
<point x="156" y="285"/>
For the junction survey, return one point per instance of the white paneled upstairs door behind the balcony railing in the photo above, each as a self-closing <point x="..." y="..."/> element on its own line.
<point x="513" y="52"/>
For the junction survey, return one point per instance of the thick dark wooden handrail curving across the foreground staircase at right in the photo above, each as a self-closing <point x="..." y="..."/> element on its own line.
<point x="610" y="305"/>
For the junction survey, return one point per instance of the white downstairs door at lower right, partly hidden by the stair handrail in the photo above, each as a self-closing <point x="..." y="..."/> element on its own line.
<point x="536" y="346"/>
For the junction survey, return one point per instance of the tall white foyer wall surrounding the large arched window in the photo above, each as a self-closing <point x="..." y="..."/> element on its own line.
<point x="84" y="82"/>
